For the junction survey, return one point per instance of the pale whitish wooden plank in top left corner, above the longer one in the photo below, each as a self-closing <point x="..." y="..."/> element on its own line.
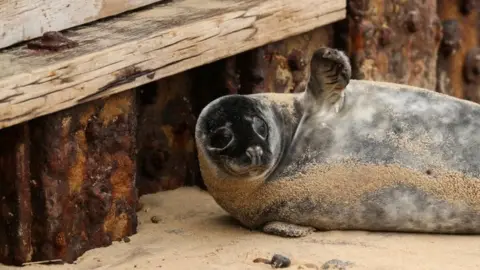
<point x="22" y="20"/>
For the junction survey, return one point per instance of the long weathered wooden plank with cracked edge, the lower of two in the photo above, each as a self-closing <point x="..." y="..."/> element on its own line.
<point x="136" y="48"/>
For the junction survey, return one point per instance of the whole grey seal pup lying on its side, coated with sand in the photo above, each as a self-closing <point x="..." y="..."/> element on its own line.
<point x="343" y="155"/>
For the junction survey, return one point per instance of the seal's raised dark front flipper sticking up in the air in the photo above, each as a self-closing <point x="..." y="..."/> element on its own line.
<point x="330" y="73"/>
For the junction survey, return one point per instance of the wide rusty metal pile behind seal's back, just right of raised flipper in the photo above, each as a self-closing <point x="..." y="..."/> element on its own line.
<point x="394" y="40"/>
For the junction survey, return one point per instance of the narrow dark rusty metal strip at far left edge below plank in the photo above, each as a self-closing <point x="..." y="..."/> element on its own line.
<point x="15" y="204"/>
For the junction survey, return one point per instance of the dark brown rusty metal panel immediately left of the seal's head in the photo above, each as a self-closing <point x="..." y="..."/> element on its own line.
<point x="166" y="126"/>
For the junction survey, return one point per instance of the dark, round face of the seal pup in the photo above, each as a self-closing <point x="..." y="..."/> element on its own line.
<point x="239" y="135"/>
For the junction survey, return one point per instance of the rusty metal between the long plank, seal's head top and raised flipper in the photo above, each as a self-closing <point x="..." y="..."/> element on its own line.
<point x="281" y="66"/>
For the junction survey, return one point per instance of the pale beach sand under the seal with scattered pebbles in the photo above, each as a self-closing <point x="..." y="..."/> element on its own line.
<point x="193" y="232"/>
